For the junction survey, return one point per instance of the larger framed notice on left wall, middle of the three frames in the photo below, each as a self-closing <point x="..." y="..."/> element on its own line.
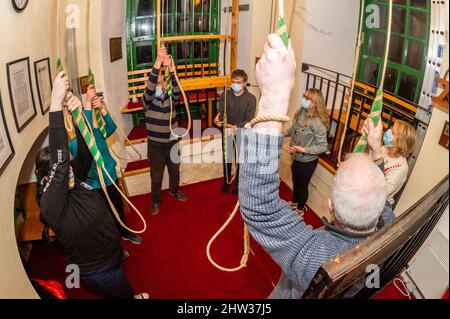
<point x="21" y="92"/>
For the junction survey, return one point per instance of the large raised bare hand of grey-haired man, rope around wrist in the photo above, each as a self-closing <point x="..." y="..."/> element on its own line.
<point x="275" y="73"/>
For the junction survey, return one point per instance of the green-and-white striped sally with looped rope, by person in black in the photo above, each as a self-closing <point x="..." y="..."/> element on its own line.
<point x="88" y="137"/>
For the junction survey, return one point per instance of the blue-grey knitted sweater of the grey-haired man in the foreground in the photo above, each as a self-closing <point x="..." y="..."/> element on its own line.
<point x="296" y="247"/>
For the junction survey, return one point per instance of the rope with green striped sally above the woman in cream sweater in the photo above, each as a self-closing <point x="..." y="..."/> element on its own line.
<point x="377" y="106"/>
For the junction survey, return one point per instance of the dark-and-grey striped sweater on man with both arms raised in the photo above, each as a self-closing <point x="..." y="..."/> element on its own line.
<point x="158" y="110"/>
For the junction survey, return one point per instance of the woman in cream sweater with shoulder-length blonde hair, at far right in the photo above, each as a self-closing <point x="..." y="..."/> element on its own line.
<point x="399" y="144"/>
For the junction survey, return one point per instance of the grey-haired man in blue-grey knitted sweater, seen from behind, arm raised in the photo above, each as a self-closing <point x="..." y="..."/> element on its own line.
<point x="357" y="197"/>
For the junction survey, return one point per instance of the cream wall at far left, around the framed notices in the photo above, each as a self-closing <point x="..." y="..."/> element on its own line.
<point x="31" y="33"/>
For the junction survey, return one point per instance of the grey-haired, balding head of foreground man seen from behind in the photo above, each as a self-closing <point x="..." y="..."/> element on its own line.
<point x="358" y="193"/>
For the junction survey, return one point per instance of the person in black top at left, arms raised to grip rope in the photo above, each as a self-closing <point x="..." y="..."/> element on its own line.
<point x="78" y="215"/>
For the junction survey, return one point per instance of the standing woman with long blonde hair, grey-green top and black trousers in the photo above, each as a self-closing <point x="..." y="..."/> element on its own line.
<point x="309" y="140"/>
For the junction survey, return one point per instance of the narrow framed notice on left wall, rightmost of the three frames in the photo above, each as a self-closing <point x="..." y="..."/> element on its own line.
<point x="44" y="83"/>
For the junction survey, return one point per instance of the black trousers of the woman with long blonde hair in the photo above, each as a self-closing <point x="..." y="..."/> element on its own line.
<point x="301" y="176"/>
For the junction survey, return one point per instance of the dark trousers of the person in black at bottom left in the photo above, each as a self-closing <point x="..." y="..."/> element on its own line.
<point x="110" y="282"/>
